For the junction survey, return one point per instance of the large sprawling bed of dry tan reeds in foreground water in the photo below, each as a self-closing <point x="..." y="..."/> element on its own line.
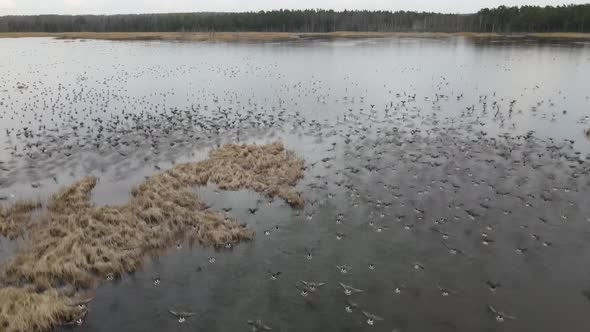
<point x="76" y="243"/>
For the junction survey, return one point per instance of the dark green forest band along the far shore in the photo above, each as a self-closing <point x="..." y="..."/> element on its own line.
<point x="567" y="18"/>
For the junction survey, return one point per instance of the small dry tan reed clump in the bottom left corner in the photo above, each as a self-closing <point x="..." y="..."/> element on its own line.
<point x="22" y="310"/>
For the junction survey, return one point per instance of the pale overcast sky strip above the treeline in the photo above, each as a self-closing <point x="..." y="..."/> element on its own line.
<point x="28" y="7"/>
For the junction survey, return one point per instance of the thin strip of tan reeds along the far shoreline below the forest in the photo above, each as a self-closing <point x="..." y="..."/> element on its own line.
<point x="280" y="36"/>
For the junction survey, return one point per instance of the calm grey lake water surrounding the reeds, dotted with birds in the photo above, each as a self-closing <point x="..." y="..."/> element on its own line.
<point x="445" y="166"/>
